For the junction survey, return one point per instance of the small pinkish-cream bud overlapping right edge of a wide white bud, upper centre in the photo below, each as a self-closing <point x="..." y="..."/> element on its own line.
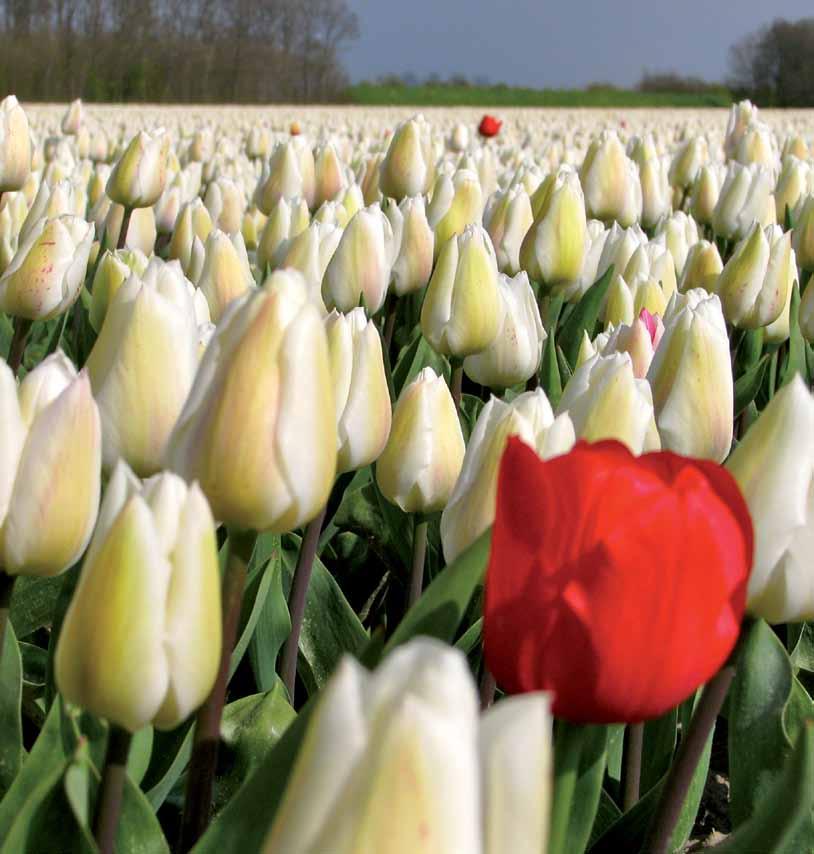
<point x="414" y="240"/>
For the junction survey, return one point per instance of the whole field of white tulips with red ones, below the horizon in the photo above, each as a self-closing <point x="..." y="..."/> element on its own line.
<point x="380" y="483"/>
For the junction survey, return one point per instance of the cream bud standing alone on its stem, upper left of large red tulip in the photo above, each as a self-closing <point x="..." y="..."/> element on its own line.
<point x="424" y="453"/>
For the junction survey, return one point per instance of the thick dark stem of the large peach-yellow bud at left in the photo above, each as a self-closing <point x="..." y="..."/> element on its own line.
<point x="202" y="764"/>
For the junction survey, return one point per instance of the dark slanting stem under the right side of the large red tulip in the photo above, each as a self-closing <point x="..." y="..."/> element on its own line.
<point x="680" y="775"/>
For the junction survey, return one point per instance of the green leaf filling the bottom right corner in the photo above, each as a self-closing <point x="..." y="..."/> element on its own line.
<point x="784" y="810"/>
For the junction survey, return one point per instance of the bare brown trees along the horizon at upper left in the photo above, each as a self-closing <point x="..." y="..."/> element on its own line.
<point x="239" y="51"/>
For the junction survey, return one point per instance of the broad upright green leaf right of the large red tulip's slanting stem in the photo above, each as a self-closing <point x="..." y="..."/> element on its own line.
<point x="757" y="698"/>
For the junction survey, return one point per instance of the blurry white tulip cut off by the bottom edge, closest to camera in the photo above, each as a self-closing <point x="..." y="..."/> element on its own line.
<point x="480" y="791"/>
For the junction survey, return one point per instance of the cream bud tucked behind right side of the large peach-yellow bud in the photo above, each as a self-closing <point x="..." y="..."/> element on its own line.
<point x="363" y="412"/>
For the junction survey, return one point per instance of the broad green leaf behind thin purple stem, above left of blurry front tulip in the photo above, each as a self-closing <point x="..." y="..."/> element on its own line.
<point x="330" y="626"/>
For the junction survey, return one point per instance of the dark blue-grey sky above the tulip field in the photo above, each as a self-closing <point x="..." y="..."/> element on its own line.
<point x="570" y="43"/>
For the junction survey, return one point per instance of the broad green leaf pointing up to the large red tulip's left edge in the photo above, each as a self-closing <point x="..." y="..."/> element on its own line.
<point x="439" y="611"/>
